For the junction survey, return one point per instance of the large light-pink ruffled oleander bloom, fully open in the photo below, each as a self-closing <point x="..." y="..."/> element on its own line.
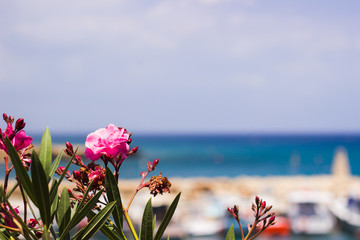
<point x="110" y="141"/>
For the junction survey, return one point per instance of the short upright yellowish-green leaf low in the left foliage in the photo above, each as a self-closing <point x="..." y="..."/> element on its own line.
<point x="64" y="212"/>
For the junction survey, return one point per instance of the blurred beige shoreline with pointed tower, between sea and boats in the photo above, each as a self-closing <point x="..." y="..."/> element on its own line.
<point x="339" y="183"/>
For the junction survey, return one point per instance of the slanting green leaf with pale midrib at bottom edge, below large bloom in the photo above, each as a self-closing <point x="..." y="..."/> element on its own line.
<point x="95" y="223"/>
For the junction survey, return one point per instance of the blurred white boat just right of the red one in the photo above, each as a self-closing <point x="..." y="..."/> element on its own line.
<point x="309" y="213"/>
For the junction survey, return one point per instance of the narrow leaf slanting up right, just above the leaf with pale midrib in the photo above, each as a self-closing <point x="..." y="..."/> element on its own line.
<point x="80" y="214"/>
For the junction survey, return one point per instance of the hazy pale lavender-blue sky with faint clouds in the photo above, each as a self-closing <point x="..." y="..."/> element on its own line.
<point x="182" y="65"/>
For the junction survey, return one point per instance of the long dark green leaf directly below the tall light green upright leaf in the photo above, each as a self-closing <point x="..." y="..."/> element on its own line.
<point x="41" y="190"/>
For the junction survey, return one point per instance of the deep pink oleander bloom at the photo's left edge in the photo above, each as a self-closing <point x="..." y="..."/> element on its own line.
<point x="18" y="139"/>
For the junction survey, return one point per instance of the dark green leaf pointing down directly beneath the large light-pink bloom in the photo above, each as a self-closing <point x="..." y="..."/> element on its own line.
<point x="113" y="194"/>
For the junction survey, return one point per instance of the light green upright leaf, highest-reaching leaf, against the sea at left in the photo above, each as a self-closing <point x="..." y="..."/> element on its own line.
<point x="45" y="154"/>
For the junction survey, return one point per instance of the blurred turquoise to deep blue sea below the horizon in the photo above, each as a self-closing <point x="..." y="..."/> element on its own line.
<point x="234" y="155"/>
